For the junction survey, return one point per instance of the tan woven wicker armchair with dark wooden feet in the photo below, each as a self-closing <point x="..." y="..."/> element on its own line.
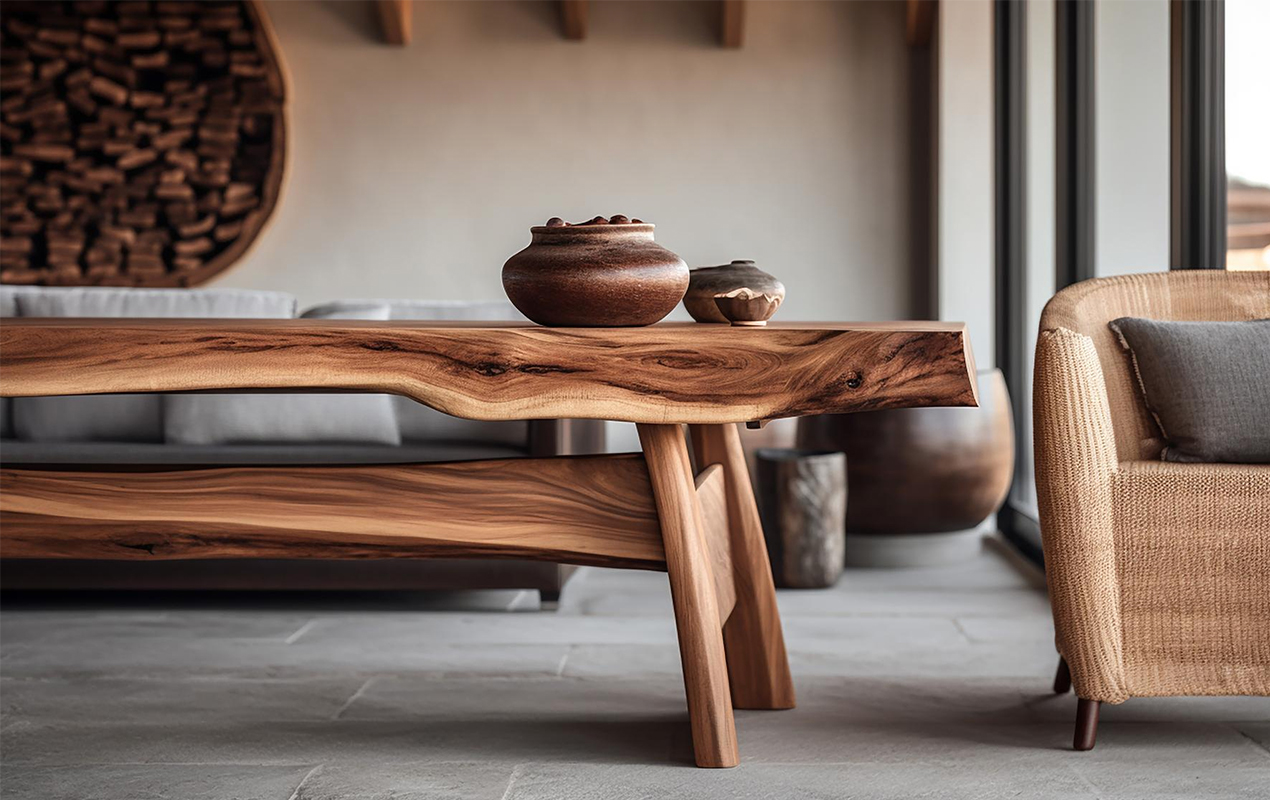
<point x="1159" y="573"/>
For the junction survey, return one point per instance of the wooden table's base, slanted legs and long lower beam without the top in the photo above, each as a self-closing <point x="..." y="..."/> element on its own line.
<point x="652" y="512"/>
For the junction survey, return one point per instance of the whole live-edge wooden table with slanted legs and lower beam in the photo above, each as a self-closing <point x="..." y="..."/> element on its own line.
<point x="642" y="512"/>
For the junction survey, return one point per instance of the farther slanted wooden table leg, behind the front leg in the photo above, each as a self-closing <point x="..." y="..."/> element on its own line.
<point x="758" y="665"/>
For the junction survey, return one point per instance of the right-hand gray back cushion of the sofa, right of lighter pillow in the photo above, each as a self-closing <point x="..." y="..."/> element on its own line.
<point x="417" y="422"/>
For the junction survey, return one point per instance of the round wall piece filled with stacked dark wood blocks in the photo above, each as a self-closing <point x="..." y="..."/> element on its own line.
<point x="143" y="144"/>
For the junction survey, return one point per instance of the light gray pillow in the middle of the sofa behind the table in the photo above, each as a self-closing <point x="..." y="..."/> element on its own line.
<point x="251" y="418"/>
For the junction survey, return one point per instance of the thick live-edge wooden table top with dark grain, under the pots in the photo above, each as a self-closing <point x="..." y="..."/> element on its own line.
<point x="671" y="373"/>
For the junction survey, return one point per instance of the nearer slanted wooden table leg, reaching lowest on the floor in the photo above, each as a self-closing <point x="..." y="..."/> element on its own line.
<point x="697" y="613"/>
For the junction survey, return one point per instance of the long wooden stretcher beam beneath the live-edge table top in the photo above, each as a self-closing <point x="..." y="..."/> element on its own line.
<point x="581" y="511"/>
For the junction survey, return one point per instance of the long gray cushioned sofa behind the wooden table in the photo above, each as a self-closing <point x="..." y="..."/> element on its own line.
<point x="156" y="431"/>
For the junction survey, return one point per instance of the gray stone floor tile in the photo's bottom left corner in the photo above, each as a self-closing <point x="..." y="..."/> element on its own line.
<point x="153" y="783"/>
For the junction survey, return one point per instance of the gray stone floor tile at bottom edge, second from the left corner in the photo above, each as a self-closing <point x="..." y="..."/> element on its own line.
<point x="408" y="782"/>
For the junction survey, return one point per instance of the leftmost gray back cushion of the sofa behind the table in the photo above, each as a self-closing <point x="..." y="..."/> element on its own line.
<point x="124" y="418"/>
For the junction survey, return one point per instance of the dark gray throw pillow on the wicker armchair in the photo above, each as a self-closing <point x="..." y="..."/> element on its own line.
<point x="1207" y="385"/>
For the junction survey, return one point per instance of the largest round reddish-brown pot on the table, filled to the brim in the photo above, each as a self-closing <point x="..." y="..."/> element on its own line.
<point x="595" y="275"/>
